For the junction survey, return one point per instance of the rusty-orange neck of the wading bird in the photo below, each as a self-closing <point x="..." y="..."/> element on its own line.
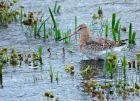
<point x="85" y="36"/>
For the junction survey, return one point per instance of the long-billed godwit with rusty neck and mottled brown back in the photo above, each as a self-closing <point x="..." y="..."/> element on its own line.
<point x="94" y="48"/>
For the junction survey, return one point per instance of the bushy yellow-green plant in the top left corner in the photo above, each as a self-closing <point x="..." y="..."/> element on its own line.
<point x="7" y="14"/>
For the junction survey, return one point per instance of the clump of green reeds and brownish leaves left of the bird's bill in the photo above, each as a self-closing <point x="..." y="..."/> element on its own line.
<point x="36" y="25"/>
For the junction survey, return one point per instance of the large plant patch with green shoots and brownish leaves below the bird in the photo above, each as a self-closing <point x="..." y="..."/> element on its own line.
<point x="107" y="89"/>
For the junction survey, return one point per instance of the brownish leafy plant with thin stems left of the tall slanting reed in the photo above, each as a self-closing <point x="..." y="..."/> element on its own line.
<point x="34" y="23"/>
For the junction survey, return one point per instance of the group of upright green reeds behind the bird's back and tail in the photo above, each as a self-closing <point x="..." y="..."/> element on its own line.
<point x="115" y="29"/>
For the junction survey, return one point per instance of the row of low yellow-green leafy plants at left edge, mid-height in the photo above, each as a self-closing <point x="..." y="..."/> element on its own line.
<point x="14" y="58"/>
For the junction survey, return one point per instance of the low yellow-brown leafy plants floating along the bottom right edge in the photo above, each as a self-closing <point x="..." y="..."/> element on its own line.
<point x="99" y="90"/>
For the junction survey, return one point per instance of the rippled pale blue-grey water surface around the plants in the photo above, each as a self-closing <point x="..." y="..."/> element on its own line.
<point x="26" y="84"/>
